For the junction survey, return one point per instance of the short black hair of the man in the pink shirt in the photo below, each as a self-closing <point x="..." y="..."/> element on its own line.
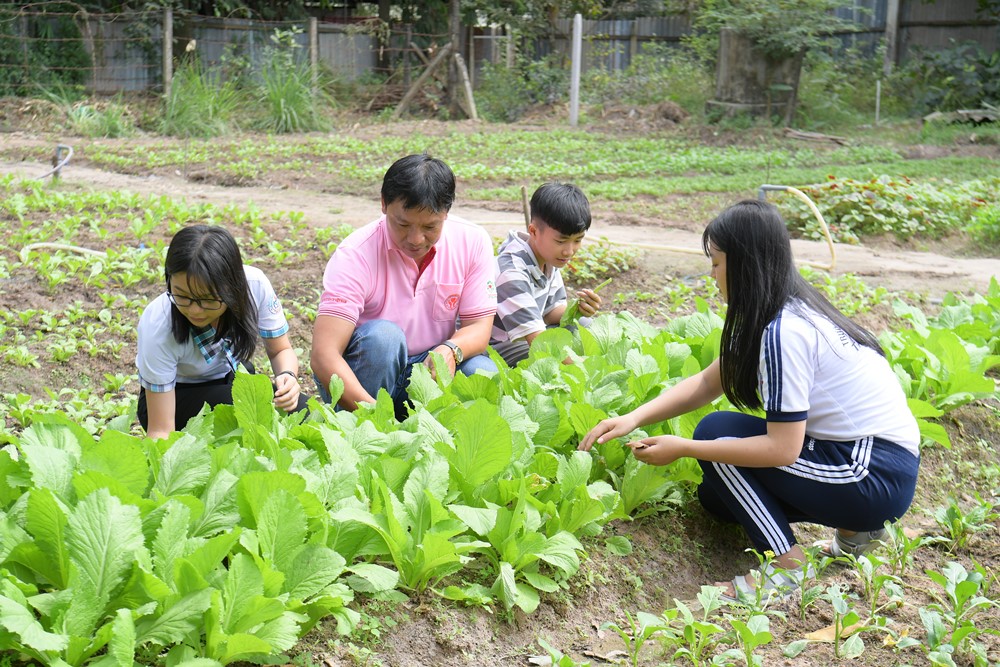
<point x="421" y="181"/>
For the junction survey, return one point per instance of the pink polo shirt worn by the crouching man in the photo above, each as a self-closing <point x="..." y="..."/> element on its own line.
<point x="369" y="278"/>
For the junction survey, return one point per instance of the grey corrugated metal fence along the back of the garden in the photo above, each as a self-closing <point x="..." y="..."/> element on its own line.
<point x="112" y="53"/>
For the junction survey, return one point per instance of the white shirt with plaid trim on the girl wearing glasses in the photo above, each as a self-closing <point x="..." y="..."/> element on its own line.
<point x="163" y="362"/>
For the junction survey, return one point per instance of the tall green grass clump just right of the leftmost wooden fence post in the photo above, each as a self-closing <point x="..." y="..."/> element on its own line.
<point x="201" y="103"/>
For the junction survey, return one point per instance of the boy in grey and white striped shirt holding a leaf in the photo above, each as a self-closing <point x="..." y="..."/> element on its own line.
<point x="531" y="295"/>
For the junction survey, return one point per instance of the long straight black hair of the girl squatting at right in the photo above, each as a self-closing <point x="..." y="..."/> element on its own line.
<point x="761" y="279"/>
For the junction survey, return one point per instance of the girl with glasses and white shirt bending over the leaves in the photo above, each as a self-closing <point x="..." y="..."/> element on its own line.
<point x="193" y="337"/>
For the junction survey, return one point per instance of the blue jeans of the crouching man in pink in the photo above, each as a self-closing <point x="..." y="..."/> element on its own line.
<point x="377" y="355"/>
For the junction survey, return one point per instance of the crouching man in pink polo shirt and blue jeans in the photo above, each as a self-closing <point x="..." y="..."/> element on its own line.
<point x="394" y="290"/>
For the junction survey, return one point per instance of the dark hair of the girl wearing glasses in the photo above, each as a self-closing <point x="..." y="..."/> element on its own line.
<point x="210" y="257"/>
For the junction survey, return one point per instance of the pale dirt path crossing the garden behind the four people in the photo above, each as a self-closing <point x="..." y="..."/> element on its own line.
<point x="922" y="272"/>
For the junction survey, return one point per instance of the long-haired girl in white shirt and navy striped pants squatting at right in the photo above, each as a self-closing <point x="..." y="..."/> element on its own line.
<point x="837" y="446"/>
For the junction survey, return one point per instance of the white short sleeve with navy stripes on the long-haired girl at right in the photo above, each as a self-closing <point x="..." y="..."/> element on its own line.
<point x="788" y="362"/>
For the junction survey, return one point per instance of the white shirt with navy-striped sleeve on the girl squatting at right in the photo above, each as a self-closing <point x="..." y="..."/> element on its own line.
<point x="811" y="369"/>
